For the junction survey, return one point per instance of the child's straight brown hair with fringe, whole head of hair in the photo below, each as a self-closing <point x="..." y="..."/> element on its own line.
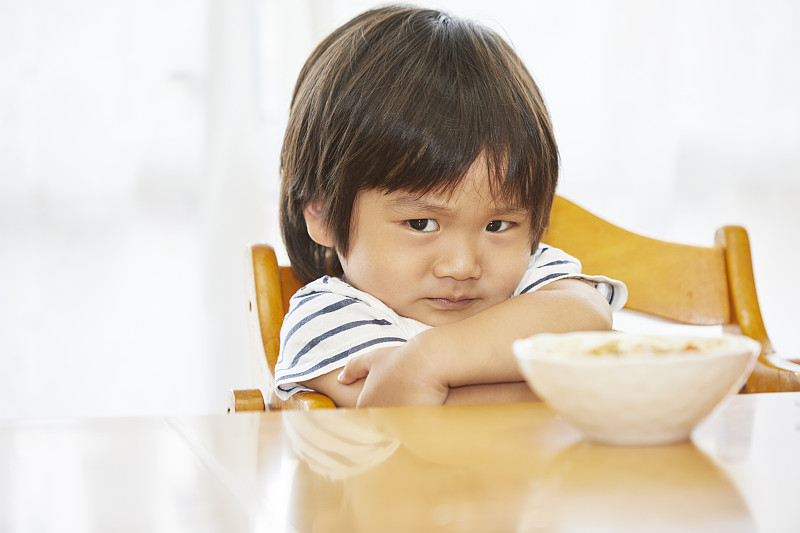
<point x="402" y="98"/>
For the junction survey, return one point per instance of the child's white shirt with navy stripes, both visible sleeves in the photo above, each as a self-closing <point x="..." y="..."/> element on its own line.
<point x="330" y="321"/>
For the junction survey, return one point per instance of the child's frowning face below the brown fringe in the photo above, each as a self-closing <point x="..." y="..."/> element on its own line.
<point x="438" y="259"/>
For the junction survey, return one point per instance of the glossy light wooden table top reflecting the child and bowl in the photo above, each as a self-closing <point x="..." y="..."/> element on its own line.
<point x="505" y="468"/>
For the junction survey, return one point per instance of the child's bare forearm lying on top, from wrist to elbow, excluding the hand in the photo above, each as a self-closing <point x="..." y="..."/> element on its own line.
<point x="478" y="349"/>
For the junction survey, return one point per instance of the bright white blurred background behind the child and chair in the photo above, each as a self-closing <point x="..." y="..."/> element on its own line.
<point x="139" y="150"/>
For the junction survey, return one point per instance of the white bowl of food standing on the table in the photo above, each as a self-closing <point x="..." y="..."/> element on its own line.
<point x="635" y="389"/>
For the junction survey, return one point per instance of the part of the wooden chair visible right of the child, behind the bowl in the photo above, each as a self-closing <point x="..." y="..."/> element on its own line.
<point x="686" y="284"/>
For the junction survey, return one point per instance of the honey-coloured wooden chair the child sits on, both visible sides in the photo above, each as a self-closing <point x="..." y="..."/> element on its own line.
<point x="679" y="283"/>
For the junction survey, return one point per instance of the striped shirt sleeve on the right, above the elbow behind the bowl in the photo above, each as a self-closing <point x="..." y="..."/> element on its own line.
<point x="548" y="264"/>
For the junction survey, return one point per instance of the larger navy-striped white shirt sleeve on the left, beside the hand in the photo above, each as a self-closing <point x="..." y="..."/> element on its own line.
<point x="328" y="322"/>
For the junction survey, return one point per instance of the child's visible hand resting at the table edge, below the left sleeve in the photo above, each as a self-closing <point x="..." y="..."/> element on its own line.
<point x="404" y="375"/>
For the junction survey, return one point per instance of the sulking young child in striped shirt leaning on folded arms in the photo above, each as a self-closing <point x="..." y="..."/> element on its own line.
<point x="418" y="171"/>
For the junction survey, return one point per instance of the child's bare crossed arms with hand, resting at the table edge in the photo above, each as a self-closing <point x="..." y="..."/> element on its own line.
<point x="468" y="361"/>
